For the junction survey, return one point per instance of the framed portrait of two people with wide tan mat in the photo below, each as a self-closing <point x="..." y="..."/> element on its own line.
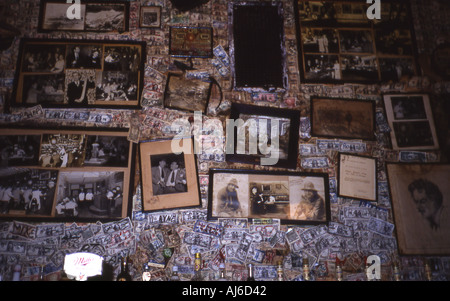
<point x="169" y="174"/>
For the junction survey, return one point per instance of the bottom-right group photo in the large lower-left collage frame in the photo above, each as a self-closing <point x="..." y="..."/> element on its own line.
<point x="88" y="194"/>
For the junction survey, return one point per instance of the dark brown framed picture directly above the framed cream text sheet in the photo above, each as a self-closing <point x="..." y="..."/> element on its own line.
<point x="342" y="118"/>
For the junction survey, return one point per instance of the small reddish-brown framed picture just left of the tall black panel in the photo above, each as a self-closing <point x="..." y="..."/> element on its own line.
<point x="185" y="41"/>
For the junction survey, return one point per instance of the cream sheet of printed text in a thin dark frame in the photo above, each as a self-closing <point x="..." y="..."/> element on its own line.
<point x="357" y="177"/>
